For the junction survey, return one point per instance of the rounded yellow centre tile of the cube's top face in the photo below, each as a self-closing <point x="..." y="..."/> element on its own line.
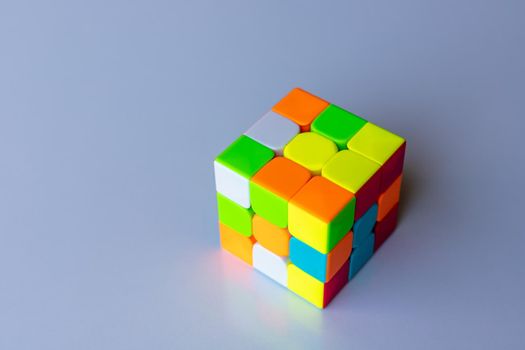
<point x="311" y="150"/>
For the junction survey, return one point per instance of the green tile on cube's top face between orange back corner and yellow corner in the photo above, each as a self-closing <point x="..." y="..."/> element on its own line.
<point x="338" y="125"/>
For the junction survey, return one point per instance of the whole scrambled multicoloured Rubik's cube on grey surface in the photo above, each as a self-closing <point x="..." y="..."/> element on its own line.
<point x="308" y="194"/>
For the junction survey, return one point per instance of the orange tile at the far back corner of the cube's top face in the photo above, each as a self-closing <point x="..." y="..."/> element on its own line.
<point x="300" y="107"/>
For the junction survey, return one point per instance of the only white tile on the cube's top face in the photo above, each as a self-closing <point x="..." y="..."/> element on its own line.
<point x="273" y="131"/>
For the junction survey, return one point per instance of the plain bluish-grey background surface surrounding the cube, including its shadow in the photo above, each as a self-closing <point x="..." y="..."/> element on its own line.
<point x="111" y="113"/>
